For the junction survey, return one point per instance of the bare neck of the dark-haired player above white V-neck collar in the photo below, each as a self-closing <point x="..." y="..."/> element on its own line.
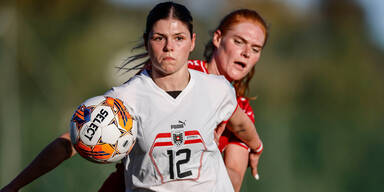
<point x="172" y="82"/>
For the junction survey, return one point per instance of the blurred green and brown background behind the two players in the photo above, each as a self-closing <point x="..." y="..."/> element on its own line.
<point x="319" y="86"/>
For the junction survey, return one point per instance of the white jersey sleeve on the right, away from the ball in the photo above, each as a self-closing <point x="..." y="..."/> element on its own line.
<point x="229" y="102"/>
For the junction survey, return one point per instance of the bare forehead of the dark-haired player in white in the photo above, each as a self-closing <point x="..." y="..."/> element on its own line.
<point x="170" y="26"/>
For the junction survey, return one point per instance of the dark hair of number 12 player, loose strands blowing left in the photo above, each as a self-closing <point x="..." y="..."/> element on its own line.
<point x="160" y="11"/>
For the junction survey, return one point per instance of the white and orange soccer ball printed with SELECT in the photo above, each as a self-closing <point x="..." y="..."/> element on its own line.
<point x="102" y="130"/>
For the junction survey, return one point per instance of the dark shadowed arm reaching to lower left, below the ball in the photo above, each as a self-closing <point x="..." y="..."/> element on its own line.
<point x="50" y="157"/>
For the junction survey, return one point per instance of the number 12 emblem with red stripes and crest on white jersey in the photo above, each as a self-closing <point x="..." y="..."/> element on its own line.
<point x="178" y="155"/>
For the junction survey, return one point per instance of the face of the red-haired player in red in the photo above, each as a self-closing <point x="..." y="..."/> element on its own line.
<point x="238" y="50"/>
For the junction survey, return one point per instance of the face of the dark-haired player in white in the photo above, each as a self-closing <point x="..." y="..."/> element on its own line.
<point x="169" y="45"/>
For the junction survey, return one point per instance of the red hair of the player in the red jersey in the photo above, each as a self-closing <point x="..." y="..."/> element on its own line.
<point x="235" y="17"/>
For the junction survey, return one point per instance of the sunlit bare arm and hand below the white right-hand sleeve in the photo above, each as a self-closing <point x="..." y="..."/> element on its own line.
<point x="242" y="126"/>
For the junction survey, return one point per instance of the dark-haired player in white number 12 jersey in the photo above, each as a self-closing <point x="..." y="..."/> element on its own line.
<point x="194" y="163"/>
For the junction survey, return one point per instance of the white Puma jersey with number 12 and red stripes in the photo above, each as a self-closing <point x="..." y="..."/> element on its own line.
<point x="175" y="148"/>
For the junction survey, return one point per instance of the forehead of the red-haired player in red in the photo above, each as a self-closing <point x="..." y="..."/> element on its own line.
<point x="250" y="31"/>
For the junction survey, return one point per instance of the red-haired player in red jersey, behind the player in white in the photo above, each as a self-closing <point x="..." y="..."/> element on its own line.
<point x="233" y="52"/>
